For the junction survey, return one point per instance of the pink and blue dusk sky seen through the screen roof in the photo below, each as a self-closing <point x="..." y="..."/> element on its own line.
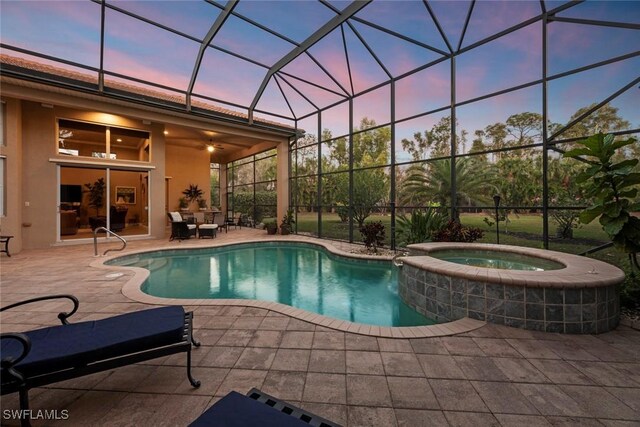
<point x="70" y="30"/>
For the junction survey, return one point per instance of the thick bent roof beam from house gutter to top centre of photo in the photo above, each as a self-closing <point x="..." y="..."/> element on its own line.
<point x="332" y="24"/>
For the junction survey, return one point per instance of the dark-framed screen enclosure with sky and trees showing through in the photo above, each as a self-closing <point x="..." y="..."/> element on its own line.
<point x="389" y="106"/>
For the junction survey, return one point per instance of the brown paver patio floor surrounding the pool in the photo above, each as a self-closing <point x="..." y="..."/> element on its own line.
<point x="493" y="375"/>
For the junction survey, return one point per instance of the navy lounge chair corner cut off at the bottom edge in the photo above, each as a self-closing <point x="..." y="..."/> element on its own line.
<point x="257" y="408"/>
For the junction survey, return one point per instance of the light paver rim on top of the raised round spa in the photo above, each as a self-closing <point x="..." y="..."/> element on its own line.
<point x="579" y="271"/>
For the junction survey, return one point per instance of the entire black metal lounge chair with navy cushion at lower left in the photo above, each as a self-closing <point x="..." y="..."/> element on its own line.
<point x="57" y="353"/>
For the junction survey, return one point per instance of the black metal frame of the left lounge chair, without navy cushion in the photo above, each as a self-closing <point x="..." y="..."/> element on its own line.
<point x="13" y="381"/>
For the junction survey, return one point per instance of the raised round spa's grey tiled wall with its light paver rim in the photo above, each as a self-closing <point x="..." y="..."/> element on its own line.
<point x="578" y="299"/>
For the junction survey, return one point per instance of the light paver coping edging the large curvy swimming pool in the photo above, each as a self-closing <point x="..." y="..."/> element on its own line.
<point x="131" y="289"/>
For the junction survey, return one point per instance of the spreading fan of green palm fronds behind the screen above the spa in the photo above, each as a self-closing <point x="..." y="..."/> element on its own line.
<point x="430" y="183"/>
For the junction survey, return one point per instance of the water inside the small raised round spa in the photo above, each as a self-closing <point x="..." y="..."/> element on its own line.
<point x="496" y="259"/>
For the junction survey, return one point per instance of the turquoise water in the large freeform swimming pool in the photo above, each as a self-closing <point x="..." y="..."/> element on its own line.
<point x="300" y="275"/>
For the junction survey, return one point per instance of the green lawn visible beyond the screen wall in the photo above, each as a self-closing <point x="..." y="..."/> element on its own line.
<point x="530" y="224"/>
